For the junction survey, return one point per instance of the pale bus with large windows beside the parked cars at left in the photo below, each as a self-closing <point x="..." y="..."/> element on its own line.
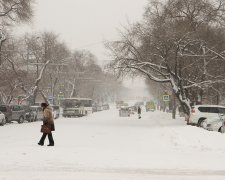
<point x="76" y="107"/>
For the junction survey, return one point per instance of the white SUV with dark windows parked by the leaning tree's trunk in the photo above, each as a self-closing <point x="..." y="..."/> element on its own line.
<point x="200" y="114"/>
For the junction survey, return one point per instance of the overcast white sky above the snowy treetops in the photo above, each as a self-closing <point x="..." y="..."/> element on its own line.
<point x="84" y="24"/>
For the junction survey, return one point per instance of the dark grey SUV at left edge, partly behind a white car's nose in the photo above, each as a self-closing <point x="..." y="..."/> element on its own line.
<point x="13" y="113"/>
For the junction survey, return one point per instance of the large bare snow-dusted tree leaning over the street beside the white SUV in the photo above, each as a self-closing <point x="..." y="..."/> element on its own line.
<point x="170" y="46"/>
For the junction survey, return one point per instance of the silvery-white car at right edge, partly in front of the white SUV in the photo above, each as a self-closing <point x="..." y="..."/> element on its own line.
<point x="215" y="125"/>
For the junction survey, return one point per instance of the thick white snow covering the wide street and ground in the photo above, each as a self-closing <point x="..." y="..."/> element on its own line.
<point x="104" y="146"/>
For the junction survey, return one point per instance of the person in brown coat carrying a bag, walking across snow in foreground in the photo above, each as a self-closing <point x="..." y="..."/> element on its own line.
<point x="48" y="121"/>
